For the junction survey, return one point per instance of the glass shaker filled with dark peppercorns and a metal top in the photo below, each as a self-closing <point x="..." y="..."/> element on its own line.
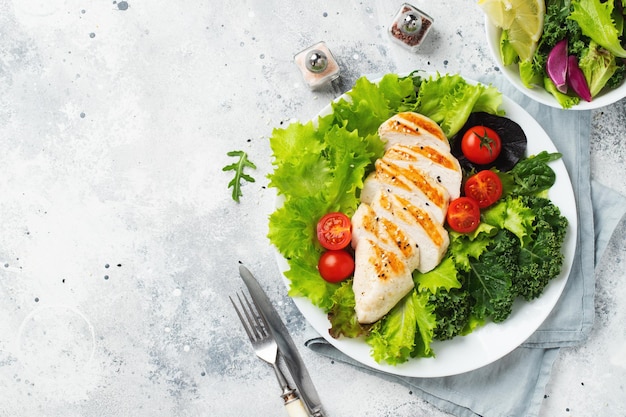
<point x="410" y="26"/>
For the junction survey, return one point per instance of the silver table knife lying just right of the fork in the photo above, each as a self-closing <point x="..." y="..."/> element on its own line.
<point x="285" y="344"/>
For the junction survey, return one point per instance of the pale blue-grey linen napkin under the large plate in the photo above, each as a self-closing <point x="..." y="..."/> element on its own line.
<point x="519" y="379"/>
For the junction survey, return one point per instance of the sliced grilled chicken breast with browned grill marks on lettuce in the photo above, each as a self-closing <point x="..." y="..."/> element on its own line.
<point x="398" y="227"/>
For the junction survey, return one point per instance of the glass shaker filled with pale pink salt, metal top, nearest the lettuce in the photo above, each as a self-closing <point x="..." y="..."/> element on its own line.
<point x="317" y="65"/>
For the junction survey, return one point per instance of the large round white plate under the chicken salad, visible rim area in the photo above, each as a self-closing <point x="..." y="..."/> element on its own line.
<point x="491" y="341"/>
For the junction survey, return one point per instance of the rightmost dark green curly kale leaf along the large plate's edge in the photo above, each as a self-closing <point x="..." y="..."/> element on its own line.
<point x="540" y="258"/>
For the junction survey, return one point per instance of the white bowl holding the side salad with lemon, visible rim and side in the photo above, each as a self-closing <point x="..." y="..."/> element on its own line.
<point x="539" y="94"/>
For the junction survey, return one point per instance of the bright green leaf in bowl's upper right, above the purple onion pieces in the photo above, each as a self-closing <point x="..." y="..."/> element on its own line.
<point x="595" y="19"/>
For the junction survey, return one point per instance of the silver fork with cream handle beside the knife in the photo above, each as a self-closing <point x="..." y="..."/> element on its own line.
<point x="266" y="348"/>
